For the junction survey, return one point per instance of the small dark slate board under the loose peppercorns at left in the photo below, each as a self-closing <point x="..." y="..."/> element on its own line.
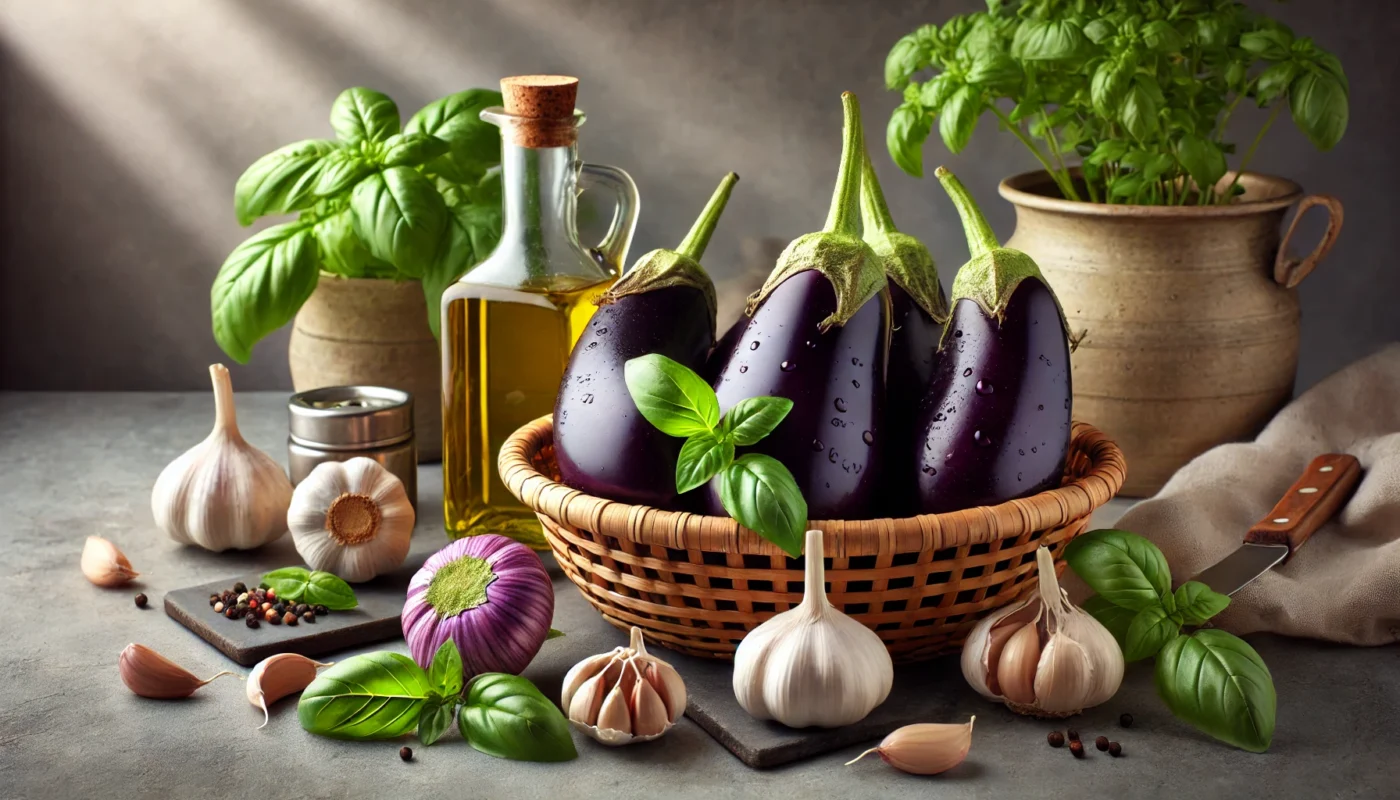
<point x="376" y="620"/>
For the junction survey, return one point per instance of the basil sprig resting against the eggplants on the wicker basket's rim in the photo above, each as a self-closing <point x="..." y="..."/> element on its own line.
<point x="755" y="490"/>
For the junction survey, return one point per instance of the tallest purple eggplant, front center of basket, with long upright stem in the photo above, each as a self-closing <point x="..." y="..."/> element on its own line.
<point x="820" y="336"/>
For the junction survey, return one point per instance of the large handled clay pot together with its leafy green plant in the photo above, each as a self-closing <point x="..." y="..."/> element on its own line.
<point x="1168" y="261"/>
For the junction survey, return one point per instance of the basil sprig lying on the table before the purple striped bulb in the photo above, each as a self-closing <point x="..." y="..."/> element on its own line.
<point x="386" y="696"/>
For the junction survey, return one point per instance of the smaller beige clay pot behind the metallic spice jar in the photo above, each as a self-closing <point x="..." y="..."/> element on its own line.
<point x="372" y="333"/>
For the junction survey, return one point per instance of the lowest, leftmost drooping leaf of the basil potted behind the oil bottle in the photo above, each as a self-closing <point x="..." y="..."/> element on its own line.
<point x="261" y="287"/>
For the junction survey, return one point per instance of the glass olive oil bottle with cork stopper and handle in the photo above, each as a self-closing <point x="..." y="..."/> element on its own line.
<point x="510" y="323"/>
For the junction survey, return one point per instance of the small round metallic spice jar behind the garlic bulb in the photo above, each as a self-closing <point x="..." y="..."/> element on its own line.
<point x="339" y="424"/>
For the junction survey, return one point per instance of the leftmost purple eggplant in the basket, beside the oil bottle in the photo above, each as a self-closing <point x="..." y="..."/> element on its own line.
<point x="666" y="305"/>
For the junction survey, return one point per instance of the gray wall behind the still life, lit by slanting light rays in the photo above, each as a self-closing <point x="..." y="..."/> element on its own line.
<point x="127" y="124"/>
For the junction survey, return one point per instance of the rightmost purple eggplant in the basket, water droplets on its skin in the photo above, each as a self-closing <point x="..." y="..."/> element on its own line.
<point x="995" y="424"/>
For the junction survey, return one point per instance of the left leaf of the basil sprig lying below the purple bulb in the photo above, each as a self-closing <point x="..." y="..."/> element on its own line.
<point x="377" y="696"/>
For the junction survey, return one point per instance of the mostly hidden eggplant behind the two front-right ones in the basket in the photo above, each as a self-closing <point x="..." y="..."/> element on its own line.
<point x="920" y="310"/>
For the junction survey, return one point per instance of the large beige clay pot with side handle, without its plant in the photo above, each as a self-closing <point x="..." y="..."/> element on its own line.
<point x="1189" y="313"/>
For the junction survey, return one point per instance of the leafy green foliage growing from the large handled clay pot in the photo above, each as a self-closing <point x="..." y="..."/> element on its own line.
<point x="1140" y="90"/>
